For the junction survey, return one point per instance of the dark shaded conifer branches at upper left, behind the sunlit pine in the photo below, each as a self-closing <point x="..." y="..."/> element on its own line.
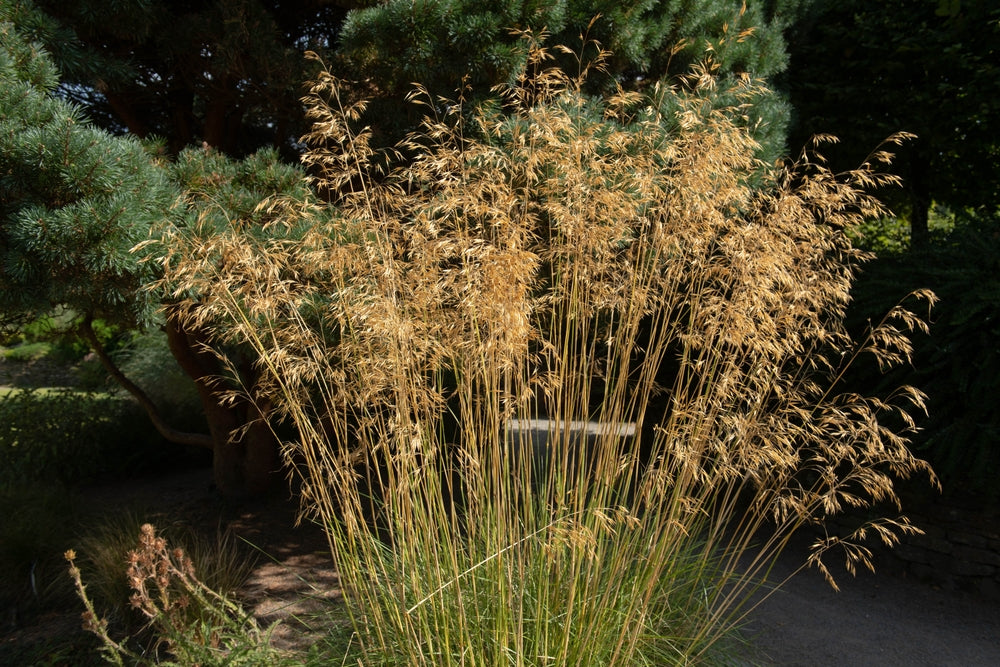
<point x="226" y="72"/>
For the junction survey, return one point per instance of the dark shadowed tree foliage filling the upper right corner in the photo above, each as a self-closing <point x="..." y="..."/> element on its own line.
<point x="863" y="70"/>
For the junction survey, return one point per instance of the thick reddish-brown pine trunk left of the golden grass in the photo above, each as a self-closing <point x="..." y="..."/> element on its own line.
<point x="245" y="453"/>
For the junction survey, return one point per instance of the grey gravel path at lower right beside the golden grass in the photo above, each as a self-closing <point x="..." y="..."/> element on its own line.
<point x="876" y="619"/>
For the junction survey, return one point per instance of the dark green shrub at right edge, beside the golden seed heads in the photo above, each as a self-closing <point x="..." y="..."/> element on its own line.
<point x="958" y="364"/>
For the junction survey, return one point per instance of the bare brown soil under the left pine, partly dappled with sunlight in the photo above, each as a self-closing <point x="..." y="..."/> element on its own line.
<point x="293" y="580"/>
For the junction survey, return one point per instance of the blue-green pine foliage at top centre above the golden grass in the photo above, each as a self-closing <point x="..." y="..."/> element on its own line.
<point x="467" y="45"/>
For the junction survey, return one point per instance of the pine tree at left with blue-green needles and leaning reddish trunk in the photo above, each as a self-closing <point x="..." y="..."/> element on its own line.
<point x="76" y="201"/>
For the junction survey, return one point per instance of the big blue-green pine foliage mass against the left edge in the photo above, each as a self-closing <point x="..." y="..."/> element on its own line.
<point x="74" y="200"/>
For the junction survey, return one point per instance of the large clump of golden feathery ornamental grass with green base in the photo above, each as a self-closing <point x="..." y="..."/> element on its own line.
<point x="566" y="262"/>
